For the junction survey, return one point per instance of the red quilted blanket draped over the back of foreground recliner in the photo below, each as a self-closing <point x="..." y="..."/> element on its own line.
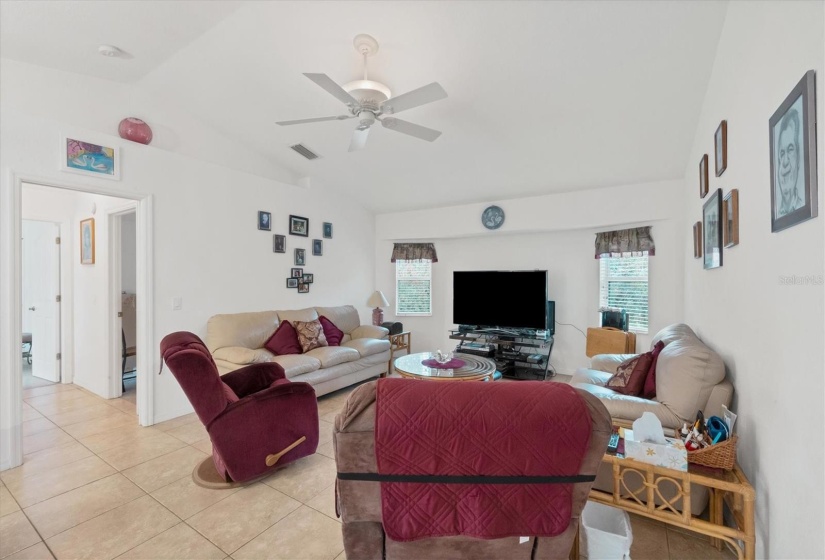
<point x="518" y="442"/>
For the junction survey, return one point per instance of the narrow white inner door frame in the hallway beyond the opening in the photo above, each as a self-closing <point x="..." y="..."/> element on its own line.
<point x="113" y="218"/>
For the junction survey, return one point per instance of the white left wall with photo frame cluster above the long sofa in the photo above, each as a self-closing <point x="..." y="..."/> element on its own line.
<point x="207" y="248"/>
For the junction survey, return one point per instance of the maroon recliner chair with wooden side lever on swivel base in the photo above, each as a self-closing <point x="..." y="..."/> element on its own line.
<point x="255" y="416"/>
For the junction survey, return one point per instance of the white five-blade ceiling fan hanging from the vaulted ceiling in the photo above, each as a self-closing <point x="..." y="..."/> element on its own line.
<point x="371" y="101"/>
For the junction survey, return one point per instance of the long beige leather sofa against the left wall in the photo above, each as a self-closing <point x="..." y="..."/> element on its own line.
<point x="236" y="340"/>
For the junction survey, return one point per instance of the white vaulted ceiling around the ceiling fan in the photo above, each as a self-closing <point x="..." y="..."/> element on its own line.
<point x="543" y="96"/>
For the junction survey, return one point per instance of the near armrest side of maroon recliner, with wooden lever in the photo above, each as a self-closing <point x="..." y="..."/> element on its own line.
<point x="265" y="423"/>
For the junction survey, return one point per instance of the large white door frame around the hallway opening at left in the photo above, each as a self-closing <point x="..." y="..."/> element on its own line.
<point x="11" y="376"/>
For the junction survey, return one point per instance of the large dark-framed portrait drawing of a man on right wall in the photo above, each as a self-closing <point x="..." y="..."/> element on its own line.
<point x="793" y="157"/>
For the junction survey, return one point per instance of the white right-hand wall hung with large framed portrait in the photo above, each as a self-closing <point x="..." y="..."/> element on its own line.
<point x="769" y="334"/>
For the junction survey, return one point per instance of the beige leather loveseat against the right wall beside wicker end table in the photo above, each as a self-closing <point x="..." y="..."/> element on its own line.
<point x="689" y="377"/>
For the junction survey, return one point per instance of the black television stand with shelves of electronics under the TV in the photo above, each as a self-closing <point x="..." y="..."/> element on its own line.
<point x="520" y="355"/>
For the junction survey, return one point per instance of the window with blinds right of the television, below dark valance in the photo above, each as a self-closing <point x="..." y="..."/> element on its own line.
<point x="623" y="284"/>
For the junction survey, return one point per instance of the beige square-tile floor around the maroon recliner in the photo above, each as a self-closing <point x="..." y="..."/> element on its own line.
<point x="95" y="485"/>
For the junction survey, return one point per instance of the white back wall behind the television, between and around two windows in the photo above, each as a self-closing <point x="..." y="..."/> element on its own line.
<point x="553" y="232"/>
